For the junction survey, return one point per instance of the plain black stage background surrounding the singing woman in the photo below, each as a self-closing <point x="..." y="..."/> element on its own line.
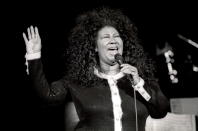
<point x="158" y="22"/>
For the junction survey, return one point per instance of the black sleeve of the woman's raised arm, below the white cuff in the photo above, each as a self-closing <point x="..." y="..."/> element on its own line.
<point x="51" y="92"/>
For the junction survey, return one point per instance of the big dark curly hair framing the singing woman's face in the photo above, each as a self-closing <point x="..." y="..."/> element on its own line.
<point x="81" y="55"/>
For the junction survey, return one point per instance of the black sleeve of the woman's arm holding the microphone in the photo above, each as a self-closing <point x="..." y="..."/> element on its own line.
<point x="158" y="105"/>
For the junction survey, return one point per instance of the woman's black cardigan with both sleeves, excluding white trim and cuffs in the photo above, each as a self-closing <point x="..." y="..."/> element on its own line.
<point x="94" y="105"/>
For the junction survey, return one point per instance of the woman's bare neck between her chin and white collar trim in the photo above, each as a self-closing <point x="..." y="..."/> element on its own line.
<point x="109" y="69"/>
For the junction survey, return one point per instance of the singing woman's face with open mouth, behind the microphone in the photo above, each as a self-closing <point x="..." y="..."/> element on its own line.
<point x="108" y="44"/>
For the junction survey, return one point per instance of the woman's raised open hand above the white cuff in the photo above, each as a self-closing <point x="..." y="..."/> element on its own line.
<point x="33" y="41"/>
